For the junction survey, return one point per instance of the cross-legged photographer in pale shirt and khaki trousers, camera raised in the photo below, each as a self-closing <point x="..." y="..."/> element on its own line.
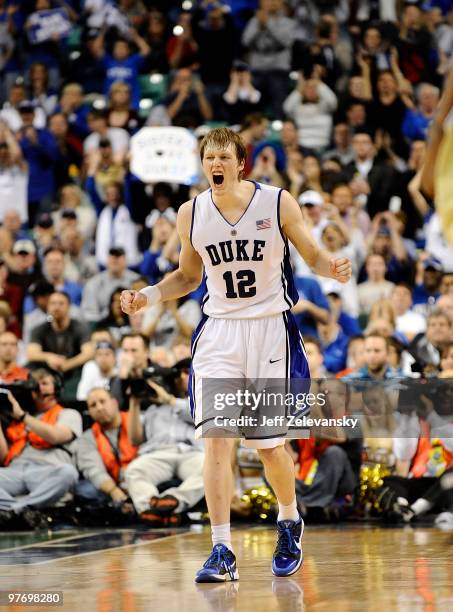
<point x="167" y="451"/>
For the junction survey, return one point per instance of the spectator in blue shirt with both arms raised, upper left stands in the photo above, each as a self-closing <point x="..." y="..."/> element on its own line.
<point x="123" y="65"/>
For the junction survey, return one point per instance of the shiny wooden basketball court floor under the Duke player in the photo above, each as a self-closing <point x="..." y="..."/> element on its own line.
<point x="346" y="568"/>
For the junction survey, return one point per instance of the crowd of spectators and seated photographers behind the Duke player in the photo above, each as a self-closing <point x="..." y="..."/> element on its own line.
<point x="333" y="99"/>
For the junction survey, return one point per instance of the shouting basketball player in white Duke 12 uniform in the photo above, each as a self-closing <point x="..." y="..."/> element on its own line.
<point x="238" y="230"/>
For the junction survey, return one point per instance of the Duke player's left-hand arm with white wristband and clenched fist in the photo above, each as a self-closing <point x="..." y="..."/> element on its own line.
<point x="178" y="283"/>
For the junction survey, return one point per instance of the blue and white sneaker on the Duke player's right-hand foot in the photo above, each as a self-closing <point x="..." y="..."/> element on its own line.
<point x="288" y="554"/>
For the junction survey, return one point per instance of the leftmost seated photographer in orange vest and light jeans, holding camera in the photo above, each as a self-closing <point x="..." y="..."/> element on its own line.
<point x="36" y="452"/>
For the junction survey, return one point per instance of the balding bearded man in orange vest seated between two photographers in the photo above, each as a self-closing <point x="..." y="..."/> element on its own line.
<point x="103" y="452"/>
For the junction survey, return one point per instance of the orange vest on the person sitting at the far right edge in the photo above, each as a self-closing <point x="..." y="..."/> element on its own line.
<point x="431" y="457"/>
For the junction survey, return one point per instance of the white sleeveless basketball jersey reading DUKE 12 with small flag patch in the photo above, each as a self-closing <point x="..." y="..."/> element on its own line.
<point x="247" y="266"/>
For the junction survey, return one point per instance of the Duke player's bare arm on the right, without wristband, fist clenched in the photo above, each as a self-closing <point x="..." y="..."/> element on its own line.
<point x="295" y="230"/>
